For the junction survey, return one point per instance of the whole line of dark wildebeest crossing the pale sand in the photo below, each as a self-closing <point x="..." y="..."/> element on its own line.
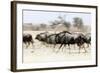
<point x="64" y="38"/>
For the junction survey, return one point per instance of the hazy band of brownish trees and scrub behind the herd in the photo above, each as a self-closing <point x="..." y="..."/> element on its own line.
<point x="60" y="23"/>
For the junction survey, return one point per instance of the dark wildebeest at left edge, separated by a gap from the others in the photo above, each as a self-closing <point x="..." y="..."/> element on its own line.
<point x="27" y="39"/>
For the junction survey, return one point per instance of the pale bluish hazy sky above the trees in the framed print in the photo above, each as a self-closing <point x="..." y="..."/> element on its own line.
<point x="47" y="16"/>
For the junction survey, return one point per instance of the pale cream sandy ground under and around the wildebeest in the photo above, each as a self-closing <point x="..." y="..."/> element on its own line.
<point x="39" y="53"/>
